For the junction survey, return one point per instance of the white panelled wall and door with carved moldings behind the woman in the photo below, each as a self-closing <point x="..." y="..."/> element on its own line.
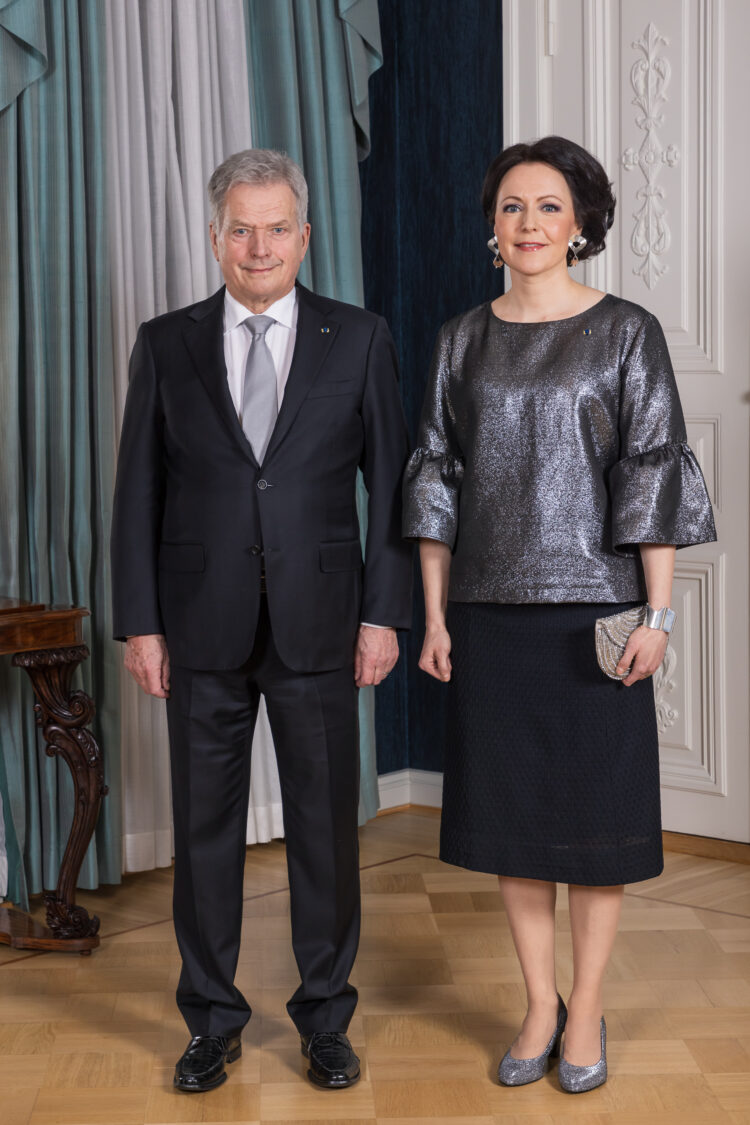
<point x="659" y="92"/>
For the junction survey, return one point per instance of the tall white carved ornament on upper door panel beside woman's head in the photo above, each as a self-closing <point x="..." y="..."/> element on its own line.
<point x="649" y="78"/>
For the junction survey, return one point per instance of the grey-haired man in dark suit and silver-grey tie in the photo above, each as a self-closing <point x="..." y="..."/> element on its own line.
<point x="238" y="572"/>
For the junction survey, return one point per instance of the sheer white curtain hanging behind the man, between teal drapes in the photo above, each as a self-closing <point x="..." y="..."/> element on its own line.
<point x="178" y="104"/>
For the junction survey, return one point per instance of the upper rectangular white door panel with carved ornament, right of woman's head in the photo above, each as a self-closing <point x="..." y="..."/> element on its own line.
<point x="672" y="256"/>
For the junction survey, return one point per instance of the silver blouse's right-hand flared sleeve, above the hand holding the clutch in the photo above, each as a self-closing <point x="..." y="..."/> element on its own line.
<point x="657" y="489"/>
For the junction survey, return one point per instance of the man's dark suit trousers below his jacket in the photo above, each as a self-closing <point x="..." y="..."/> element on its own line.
<point x="314" y="721"/>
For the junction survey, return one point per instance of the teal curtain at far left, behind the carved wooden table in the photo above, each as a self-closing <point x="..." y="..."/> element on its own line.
<point x="57" y="408"/>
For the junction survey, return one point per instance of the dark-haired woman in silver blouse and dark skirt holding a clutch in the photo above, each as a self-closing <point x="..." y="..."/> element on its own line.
<point x="552" y="487"/>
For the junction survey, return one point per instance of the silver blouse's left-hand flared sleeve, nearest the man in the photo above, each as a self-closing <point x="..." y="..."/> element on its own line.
<point x="432" y="481"/>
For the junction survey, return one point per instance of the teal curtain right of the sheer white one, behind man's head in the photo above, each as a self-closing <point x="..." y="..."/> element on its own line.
<point x="310" y="65"/>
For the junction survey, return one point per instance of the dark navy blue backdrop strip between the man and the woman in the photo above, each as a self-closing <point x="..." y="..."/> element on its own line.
<point x="437" y="122"/>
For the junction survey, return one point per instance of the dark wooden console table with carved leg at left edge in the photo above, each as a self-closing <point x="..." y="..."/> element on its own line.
<point x="48" y="642"/>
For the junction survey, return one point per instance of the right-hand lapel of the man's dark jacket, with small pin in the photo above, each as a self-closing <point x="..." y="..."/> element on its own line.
<point x="315" y="336"/>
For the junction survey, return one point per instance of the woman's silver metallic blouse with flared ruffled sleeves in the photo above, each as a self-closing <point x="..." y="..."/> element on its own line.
<point x="548" y="452"/>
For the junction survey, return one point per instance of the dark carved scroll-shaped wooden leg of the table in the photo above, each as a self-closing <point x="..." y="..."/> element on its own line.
<point x="65" y="716"/>
